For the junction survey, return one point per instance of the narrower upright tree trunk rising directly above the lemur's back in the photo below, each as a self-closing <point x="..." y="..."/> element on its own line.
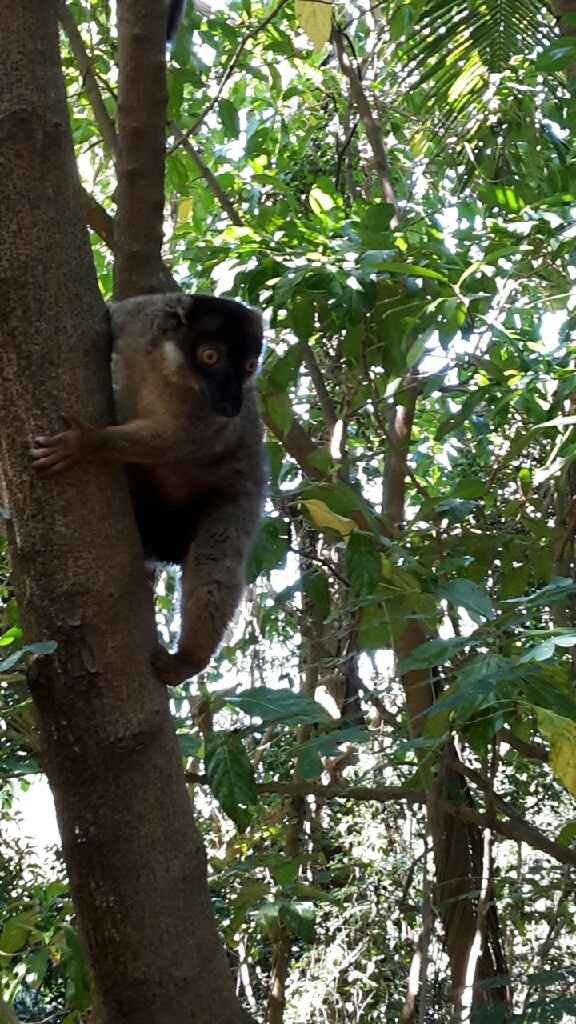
<point x="142" y="105"/>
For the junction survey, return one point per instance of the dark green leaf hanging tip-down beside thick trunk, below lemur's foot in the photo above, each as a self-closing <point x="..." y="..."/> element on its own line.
<point x="230" y="776"/>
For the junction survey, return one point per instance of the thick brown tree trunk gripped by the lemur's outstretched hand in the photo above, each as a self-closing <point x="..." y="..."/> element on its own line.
<point x="136" y="861"/>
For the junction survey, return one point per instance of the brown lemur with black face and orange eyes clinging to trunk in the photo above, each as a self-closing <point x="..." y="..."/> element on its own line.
<point x="190" y="434"/>
